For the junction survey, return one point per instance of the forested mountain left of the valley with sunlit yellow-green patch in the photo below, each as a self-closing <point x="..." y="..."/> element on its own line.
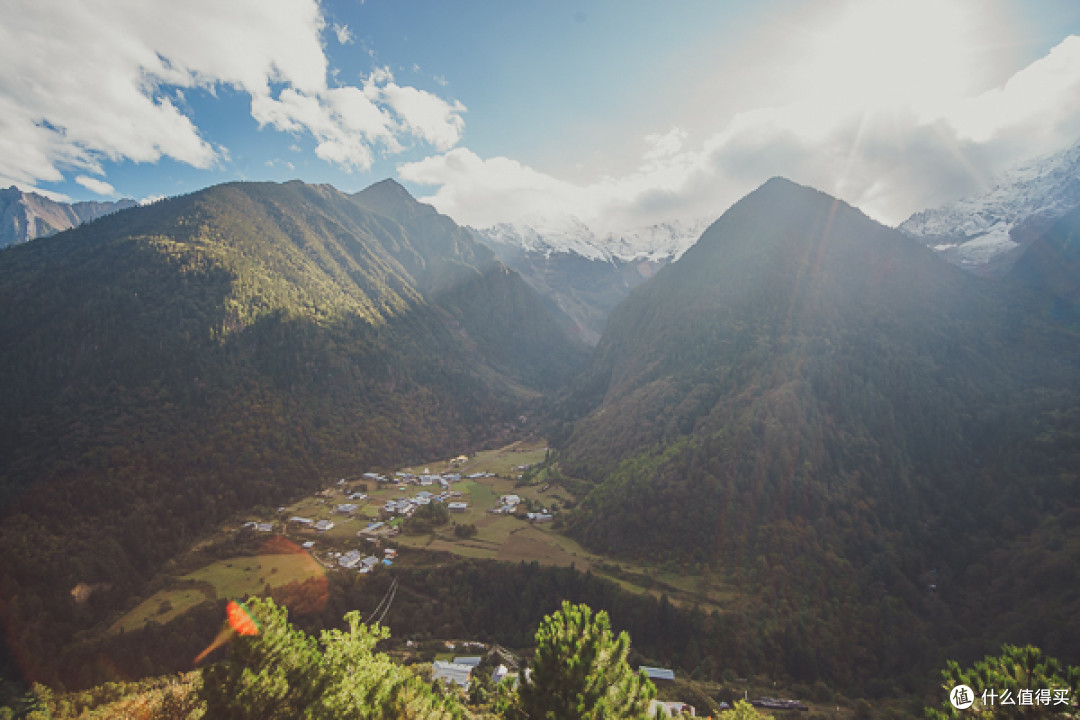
<point x="169" y="365"/>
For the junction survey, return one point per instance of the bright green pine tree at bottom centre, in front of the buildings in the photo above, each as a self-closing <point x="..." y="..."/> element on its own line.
<point x="580" y="671"/>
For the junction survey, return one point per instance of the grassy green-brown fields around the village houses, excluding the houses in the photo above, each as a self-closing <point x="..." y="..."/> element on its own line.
<point x="504" y="538"/>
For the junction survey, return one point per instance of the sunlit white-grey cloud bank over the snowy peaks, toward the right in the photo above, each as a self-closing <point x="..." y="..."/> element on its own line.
<point x="854" y="121"/>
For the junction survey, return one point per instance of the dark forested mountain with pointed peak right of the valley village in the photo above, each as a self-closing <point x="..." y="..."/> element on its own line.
<point x="827" y="415"/>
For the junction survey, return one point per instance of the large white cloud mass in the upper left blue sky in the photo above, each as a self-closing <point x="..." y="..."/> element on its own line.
<point x="118" y="70"/>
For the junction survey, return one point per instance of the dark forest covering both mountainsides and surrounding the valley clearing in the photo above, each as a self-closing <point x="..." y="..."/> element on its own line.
<point x="875" y="451"/>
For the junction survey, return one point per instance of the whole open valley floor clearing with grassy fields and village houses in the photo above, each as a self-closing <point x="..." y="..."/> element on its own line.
<point x="290" y="552"/>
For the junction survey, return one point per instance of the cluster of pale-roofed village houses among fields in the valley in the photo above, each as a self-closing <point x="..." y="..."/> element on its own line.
<point x="485" y="506"/>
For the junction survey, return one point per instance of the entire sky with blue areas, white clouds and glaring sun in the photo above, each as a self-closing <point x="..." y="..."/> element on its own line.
<point x="616" y="112"/>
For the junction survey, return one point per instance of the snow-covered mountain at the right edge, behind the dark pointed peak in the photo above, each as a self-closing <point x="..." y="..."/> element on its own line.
<point x="988" y="233"/>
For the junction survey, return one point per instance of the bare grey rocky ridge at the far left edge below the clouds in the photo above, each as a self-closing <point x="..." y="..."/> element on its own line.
<point x="28" y="215"/>
